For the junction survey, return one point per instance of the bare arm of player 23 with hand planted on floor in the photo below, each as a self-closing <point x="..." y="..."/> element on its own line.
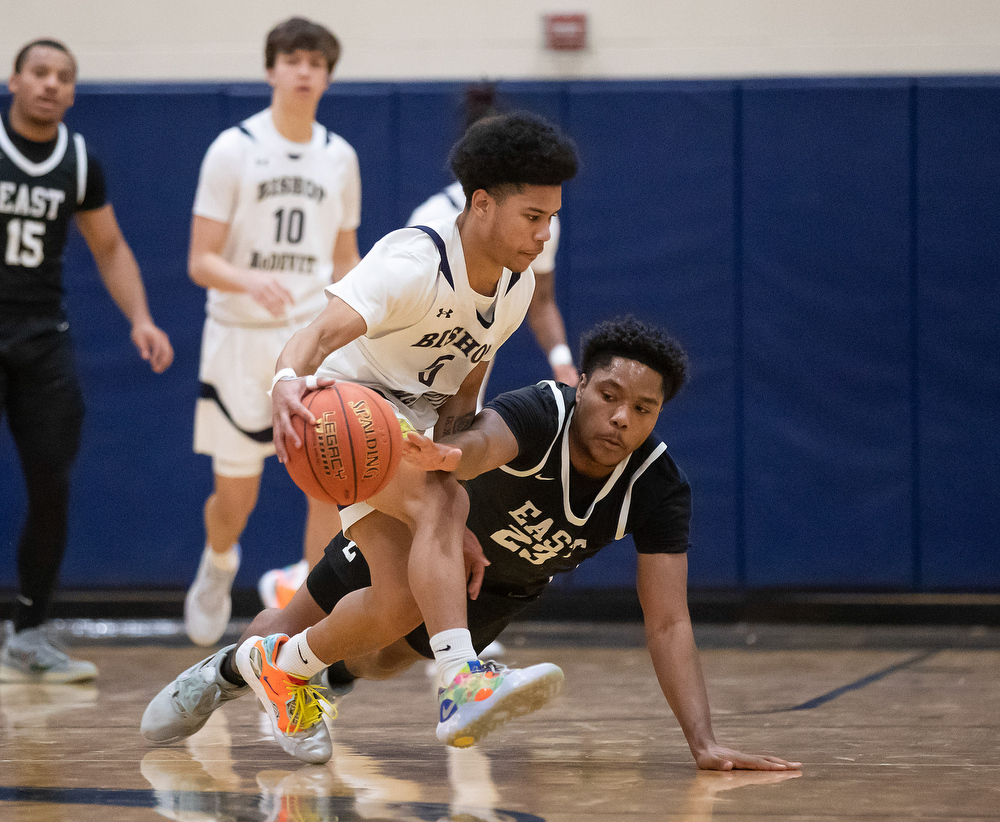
<point x="662" y="585"/>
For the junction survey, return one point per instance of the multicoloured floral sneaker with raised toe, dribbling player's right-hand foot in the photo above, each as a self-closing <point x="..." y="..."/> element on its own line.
<point x="484" y="695"/>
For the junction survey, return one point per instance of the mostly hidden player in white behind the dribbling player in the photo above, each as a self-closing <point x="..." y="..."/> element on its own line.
<point x="544" y="316"/>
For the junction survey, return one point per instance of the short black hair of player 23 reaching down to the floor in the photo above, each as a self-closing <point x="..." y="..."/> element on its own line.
<point x="632" y="339"/>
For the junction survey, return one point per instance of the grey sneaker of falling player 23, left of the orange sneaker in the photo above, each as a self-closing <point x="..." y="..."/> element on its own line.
<point x="185" y="705"/>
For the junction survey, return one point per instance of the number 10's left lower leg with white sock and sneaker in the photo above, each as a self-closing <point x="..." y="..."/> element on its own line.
<point x="208" y="604"/>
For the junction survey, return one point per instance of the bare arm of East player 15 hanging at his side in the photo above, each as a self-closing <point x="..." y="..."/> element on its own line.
<point x="120" y="273"/>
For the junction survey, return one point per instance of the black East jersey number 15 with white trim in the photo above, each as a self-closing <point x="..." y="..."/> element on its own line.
<point x="41" y="186"/>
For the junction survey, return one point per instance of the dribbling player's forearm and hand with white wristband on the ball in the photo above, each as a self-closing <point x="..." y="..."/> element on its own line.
<point x="302" y="355"/>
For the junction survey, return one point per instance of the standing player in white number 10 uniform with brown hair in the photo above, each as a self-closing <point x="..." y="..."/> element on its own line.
<point x="275" y="222"/>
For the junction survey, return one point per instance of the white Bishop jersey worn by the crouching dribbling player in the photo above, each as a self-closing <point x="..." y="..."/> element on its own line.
<point x="427" y="327"/>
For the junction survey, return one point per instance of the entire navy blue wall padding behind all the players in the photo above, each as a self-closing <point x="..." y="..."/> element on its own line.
<point x="825" y="249"/>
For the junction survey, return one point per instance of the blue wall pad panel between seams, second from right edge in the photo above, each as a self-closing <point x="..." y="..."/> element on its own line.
<point x="827" y="373"/>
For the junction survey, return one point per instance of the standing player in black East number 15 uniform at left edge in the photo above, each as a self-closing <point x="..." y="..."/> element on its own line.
<point x="46" y="177"/>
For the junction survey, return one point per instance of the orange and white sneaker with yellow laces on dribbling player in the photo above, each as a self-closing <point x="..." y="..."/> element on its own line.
<point x="294" y="707"/>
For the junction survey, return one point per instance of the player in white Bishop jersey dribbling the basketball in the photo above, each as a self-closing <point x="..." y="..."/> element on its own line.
<point x="419" y="318"/>
